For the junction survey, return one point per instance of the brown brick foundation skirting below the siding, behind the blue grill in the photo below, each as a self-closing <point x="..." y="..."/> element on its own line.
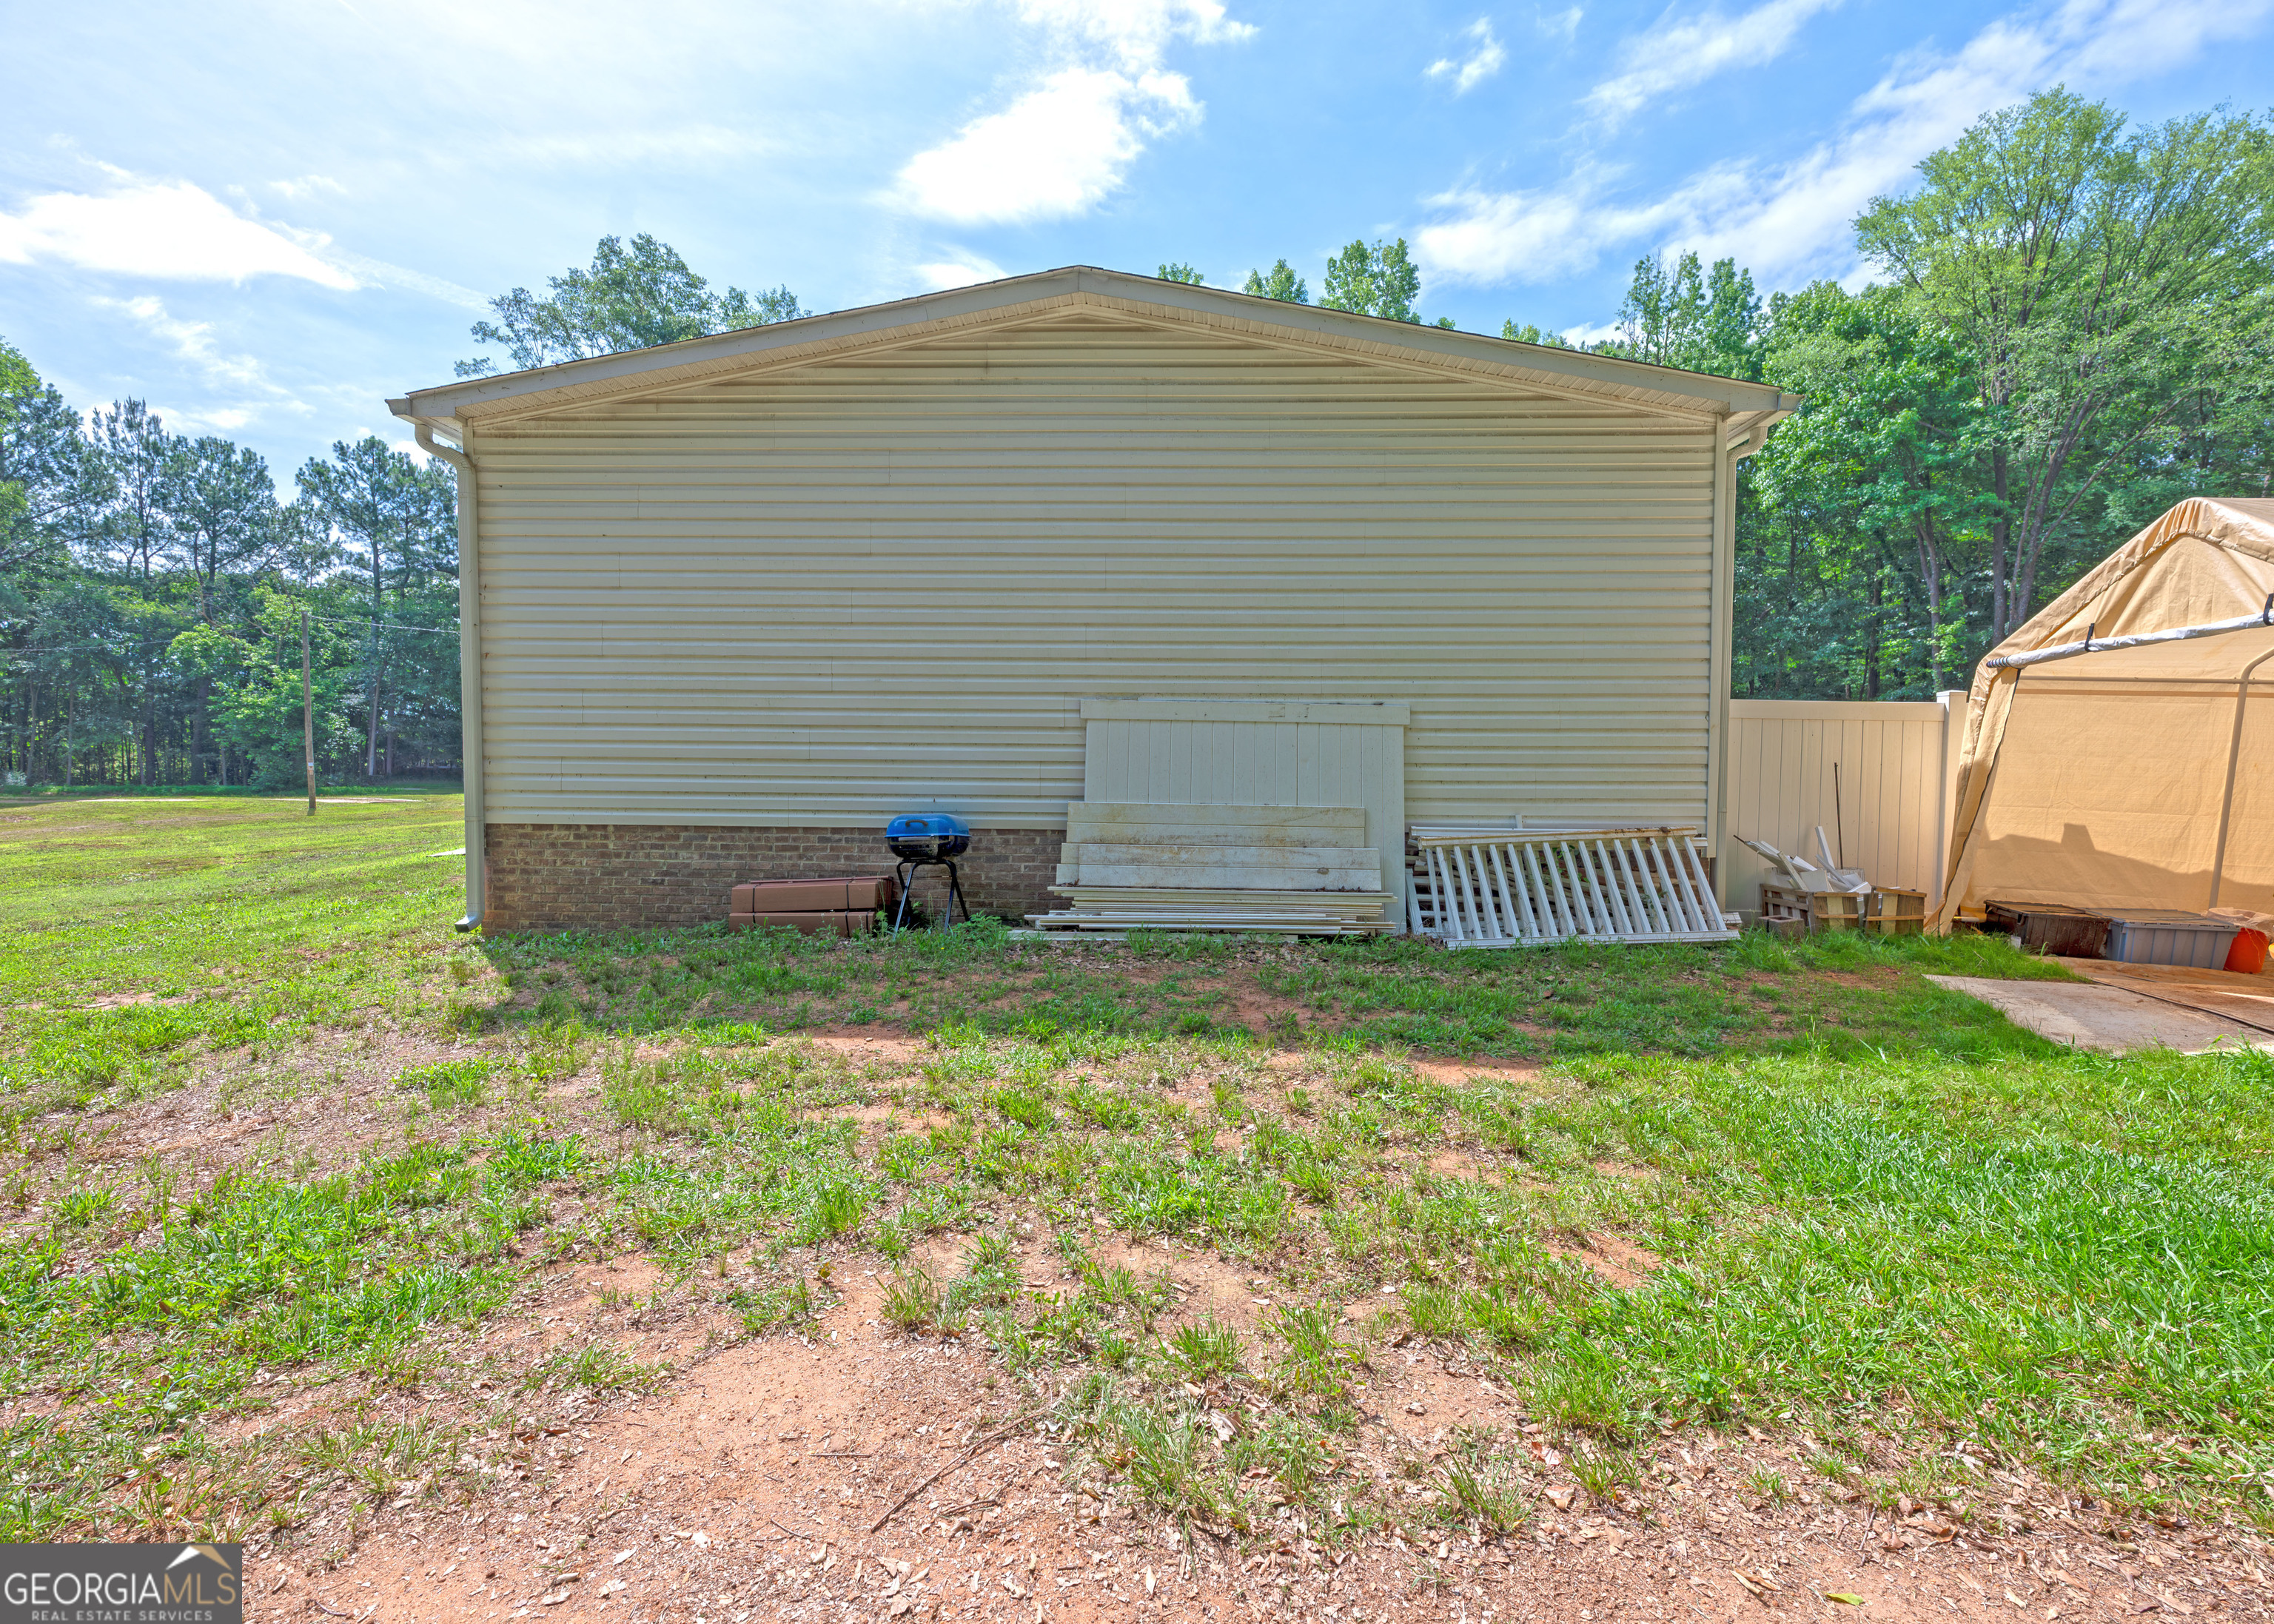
<point x="615" y="877"/>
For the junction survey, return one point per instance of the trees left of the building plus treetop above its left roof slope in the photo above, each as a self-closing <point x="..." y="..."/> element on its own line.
<point x="160" y="595"/>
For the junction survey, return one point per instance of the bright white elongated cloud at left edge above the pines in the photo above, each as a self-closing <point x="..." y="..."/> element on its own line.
<point x="160" y="231"/>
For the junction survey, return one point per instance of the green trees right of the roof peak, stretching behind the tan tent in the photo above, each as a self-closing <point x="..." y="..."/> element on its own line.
<point x="2068" y="326"/>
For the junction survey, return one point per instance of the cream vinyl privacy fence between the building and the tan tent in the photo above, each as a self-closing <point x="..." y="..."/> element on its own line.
<point x="1875" y="777"/>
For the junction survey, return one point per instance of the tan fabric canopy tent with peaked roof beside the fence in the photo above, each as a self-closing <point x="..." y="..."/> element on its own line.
<point x="2134" y="774"/>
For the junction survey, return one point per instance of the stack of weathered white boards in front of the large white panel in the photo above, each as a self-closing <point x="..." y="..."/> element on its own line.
<point x="1220" y="868"/>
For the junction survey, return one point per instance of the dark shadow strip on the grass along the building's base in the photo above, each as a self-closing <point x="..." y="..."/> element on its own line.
<point x="1759" y="995"/>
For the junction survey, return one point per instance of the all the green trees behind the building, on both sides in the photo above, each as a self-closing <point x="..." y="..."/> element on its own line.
<point x="2061" y="331"/>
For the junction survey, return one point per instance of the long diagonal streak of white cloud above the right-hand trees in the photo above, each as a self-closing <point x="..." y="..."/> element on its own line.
<point x="1791" y="219"/>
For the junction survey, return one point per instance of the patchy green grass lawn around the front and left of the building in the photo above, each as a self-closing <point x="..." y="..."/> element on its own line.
<point x="272" y="1127"/>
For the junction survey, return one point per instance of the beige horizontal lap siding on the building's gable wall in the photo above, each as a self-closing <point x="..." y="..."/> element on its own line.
<point x="888" y="581"/>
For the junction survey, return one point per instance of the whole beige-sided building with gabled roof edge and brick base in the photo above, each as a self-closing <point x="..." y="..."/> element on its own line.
<point x="738" y="602"/>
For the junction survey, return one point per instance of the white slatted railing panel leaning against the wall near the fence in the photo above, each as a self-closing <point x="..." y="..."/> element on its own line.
<point x="1486" y="888"/>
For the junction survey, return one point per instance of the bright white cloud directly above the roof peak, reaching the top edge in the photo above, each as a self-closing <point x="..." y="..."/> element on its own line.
<point x="1068" y="140"/>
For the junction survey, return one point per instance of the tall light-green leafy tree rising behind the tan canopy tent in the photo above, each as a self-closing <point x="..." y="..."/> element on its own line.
<point x="2107" y="285"/>
